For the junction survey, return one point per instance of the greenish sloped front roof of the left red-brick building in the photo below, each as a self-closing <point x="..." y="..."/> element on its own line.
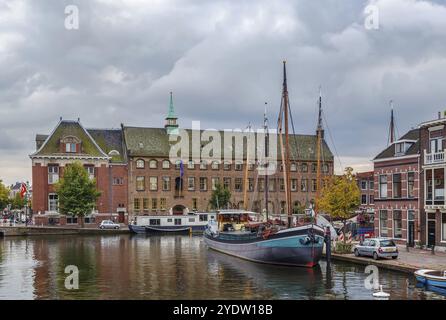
<point x="51" y="146"/>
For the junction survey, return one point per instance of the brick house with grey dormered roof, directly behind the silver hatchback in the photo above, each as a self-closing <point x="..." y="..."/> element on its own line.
<point x="398" y="190"/>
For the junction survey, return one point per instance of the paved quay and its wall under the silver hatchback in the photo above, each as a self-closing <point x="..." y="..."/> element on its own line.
<point x="407" y="262"/>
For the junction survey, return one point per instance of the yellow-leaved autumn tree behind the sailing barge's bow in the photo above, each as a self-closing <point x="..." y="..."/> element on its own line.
<point x="340" y="196"/>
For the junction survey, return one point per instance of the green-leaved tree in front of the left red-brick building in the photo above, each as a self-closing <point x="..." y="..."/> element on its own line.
<point x="77" y="192"/>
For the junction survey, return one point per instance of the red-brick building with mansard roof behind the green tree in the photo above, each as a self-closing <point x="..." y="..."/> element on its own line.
<point x="100" y="151"/>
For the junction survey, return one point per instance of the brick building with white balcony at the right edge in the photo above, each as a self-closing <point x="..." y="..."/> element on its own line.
<point x="433" y="164"/>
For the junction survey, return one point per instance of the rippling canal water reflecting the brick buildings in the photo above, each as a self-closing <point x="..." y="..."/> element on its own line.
<point x="173" y="267"/>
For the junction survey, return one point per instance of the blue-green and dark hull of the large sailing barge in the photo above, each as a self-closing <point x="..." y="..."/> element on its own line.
<point x="290" y="248"/>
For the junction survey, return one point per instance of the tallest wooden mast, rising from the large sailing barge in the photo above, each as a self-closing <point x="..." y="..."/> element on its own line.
<point x="287" y="146"/>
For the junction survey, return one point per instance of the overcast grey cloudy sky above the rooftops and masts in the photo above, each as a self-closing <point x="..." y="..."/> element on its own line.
<point x="222" y="60"/>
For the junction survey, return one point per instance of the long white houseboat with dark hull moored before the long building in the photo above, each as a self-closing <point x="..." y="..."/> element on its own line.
<point x="195" y="222"/>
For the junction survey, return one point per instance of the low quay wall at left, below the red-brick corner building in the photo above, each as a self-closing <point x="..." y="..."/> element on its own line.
<point x="6" y="231"/>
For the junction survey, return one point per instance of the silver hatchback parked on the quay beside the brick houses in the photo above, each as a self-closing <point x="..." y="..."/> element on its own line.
<point x="377" y="248"/>
